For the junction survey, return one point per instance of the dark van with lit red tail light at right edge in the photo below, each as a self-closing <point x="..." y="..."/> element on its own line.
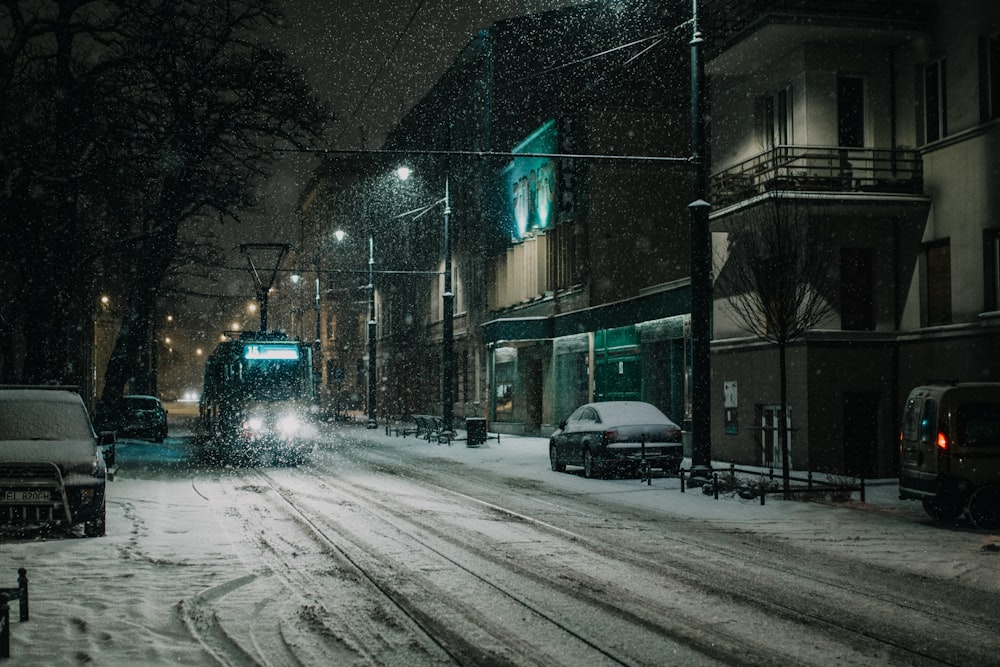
<point x="949" y="451"/>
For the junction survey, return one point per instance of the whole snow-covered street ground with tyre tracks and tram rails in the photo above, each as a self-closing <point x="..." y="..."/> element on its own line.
<point x="386" y="551"/>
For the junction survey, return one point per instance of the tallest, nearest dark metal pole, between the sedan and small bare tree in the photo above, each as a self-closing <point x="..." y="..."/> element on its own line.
<point x="701" y="272"/>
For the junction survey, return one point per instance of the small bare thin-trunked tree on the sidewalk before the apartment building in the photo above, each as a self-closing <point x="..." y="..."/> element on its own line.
<point x="778" y="280"/>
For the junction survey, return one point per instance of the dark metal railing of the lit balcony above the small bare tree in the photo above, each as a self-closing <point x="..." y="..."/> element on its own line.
<point x="819" y="169"/>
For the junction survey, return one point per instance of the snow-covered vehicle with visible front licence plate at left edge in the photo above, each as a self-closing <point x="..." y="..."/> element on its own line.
<point x="53" y="467"/>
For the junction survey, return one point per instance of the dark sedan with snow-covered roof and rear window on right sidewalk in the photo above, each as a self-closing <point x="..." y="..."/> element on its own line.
<point x="600" y="435"/>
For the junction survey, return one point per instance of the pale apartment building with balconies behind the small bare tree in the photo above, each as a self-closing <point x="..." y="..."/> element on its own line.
<point x="875" y="123"/>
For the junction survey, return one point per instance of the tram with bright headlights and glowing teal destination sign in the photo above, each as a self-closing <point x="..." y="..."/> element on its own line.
<point x="257" y="402"/>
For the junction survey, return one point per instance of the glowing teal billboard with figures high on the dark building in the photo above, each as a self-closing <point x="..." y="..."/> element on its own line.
<point x="531" y="182"/>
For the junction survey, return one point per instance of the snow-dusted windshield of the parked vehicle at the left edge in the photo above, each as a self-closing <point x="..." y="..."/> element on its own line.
<point x="43" y="420"/>
